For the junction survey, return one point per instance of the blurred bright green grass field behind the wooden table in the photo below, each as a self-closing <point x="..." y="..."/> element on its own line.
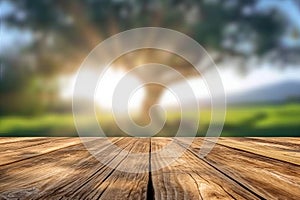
<point x="259" y="120"/>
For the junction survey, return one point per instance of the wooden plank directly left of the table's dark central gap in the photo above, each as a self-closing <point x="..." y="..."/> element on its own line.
<point x="105" y="182"/>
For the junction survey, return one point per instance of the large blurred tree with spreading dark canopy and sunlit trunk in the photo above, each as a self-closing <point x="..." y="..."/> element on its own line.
<point x="227" y="29"/>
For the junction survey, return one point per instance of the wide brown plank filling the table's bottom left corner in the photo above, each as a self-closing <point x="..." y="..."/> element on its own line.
<point x="51" y="174"/>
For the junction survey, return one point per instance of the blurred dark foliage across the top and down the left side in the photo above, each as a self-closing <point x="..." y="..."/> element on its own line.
<point x="64" y="32"/>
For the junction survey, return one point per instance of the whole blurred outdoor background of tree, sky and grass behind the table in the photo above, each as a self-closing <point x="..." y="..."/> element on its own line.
<point x="255" y="44"/>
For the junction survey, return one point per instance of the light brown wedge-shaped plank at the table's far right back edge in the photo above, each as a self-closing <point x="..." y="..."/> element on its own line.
<point x="285" y="149"/>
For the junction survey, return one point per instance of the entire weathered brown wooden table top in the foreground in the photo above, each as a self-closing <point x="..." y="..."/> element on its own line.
<point x="236" y="168"/>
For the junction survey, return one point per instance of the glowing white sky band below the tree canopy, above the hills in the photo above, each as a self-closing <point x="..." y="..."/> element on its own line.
<point x="232" y="82"/>
